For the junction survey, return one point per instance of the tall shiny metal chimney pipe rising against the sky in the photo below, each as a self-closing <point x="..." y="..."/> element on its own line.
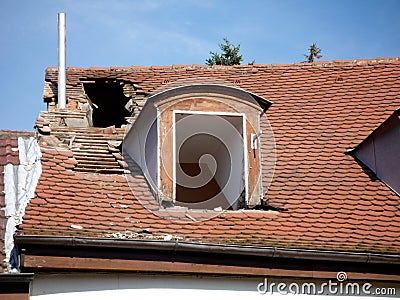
<point x="62" y="100"/>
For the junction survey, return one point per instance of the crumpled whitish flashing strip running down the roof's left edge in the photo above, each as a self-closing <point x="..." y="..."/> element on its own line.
<point x="20" y="183"/>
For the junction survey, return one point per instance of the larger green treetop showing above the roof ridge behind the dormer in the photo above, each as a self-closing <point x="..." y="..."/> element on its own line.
<point x="229" y="57"/>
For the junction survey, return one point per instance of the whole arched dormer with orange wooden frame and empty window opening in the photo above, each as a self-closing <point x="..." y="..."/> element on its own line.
<point x="198" y="146"/>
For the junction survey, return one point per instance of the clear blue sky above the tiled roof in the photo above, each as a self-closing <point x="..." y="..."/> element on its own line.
<point x="139" y="32"/>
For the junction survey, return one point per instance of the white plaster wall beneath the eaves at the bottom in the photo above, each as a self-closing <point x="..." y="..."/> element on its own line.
<point x="139" y="286"/>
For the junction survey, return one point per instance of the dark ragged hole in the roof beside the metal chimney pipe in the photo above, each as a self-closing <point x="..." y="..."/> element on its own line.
<point x="108" y="103"/>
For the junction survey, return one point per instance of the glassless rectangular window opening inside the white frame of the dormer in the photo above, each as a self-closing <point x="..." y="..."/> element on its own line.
<point x="209" y="160"/>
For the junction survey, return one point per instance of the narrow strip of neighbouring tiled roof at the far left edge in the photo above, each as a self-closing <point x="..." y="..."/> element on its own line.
<point x="8" y="155"/>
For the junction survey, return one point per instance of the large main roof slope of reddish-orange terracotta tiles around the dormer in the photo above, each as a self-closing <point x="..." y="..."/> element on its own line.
<point x="328" y="201"/>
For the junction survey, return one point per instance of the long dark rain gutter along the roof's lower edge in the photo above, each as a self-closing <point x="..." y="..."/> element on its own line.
<point x="26" y="241"/>
